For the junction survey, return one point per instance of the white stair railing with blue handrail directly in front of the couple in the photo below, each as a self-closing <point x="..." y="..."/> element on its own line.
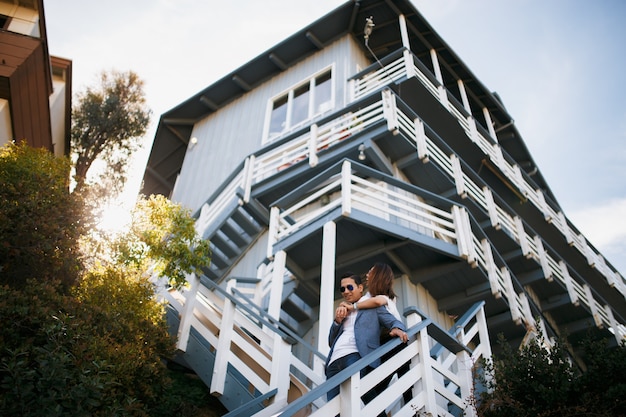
<point x="440" y="375"/>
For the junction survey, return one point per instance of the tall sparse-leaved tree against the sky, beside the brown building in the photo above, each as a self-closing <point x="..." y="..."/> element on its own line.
<point x="108" y="123"/>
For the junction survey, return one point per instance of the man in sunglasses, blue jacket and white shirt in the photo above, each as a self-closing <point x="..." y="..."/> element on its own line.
<point x="355" y="334"/>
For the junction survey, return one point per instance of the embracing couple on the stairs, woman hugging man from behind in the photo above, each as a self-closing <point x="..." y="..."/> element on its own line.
<point x="355" y="332"/>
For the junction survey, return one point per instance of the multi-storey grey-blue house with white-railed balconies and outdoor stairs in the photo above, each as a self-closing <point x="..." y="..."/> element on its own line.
<point x="364" y="138"/>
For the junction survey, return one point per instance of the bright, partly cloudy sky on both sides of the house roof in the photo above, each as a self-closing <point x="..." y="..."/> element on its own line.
<point x="557" y="65"/>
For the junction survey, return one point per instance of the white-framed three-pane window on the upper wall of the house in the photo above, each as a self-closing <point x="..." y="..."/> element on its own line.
<point x="301" y="103"/>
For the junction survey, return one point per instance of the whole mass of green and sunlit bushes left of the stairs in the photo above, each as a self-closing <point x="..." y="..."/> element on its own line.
<point x="95" y="345"/>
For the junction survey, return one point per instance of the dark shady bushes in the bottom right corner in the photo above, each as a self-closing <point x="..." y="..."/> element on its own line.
<point x="541" y="382"/>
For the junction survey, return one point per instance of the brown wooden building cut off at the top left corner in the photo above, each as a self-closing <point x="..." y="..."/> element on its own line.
<point x="35" y="87"/>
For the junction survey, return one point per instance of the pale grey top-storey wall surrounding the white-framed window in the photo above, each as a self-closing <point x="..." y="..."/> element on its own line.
<point x="236" y="131"/>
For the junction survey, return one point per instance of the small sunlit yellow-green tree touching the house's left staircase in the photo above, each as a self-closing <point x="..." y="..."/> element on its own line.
<point x="163" y="236"/>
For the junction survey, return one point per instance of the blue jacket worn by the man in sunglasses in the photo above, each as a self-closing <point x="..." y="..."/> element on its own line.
<point x="367" y="328"/>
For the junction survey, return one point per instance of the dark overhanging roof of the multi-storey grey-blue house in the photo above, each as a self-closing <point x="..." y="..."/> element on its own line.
<point x="175" y="126"/>
